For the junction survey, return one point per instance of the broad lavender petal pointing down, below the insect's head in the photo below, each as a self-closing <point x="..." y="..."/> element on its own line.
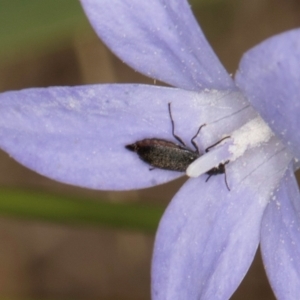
<point x="208" y="235"/>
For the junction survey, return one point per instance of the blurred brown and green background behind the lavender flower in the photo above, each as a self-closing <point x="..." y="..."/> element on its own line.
<point x="64" y="242"/>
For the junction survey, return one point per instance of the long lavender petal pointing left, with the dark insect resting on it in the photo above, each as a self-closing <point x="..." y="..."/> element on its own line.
<point x="78" y="135"/>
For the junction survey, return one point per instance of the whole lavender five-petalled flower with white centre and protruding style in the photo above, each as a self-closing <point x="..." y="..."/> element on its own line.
<point x="208" y="235"/>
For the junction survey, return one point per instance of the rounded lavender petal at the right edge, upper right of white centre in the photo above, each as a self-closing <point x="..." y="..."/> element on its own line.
<point x="269" y="76"/>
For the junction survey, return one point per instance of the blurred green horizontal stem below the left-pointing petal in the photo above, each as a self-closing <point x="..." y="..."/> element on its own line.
<point x="32" y="205"/>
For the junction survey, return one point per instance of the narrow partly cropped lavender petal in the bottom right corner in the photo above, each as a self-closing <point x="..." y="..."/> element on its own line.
<point x="280" y="239"/>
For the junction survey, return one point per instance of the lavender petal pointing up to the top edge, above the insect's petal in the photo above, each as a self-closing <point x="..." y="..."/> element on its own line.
<point x="160" y="39"/>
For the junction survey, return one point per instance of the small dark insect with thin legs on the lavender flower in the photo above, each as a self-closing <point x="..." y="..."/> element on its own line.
<point x="167" y="155"/>
